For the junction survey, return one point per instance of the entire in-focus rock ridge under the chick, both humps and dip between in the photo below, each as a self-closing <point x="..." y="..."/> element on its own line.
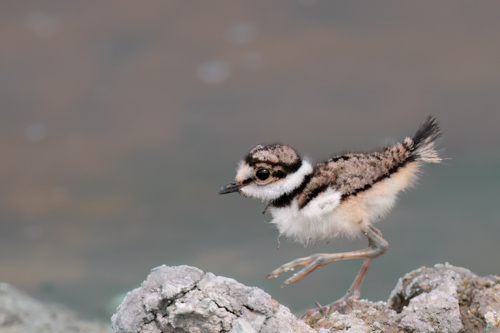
<point x="182" y="299"/>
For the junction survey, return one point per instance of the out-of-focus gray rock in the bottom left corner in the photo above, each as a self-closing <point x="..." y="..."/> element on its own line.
<point x="20" y="313"/>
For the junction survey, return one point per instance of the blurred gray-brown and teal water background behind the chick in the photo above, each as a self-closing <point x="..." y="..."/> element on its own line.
<point x="120" y="120"/>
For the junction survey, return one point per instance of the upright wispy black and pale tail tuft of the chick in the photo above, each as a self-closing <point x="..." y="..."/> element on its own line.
<point x="423" y="142"/>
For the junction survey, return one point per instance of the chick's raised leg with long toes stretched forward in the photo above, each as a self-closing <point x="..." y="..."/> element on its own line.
<point x="376" y="247"/>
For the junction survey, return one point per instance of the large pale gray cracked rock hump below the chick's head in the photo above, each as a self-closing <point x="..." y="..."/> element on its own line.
<point x="184" y="299"/>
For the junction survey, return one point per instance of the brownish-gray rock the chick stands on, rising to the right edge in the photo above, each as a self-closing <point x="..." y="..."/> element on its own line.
<point x="443" y="298"/>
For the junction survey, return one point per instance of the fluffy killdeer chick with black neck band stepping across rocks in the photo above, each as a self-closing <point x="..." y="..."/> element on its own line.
<point x="344" y="195"/>
